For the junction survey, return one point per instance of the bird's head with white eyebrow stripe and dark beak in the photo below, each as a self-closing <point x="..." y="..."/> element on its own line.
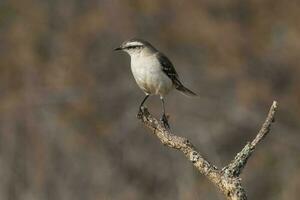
<point x="136" y="47"/>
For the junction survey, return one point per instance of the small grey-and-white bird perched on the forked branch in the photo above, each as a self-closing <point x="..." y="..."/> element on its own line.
<point x="153" y="72"/>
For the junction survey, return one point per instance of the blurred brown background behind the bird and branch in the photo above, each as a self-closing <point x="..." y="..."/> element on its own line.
<point x="68" y="103"/>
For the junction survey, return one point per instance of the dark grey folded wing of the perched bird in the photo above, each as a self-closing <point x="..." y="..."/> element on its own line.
<point x="169" y="69"/>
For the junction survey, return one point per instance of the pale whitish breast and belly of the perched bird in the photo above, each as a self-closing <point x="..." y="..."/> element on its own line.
<point x="149" y="75"/>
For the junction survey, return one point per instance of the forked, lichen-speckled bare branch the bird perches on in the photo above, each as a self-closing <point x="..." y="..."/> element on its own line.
<point x="227" y="180"/>
